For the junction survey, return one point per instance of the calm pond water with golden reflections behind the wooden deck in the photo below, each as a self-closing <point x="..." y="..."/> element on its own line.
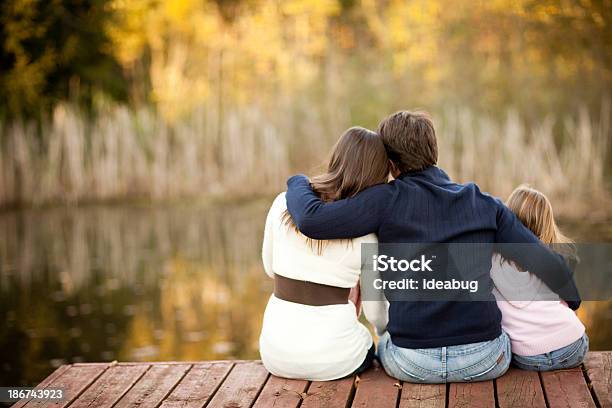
<point x="181" y="282"/>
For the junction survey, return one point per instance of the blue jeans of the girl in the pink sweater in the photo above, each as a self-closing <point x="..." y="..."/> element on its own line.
<point x="566" y="357"/>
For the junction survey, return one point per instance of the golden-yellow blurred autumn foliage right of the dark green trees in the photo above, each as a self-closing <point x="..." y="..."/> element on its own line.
<point x="269" y="48"/>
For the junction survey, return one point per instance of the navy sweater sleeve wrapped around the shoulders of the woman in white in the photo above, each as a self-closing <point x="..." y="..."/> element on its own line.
<point x="348" y="218"/>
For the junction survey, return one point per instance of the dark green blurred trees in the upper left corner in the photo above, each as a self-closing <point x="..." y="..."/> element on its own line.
<point x="53" y="51"/>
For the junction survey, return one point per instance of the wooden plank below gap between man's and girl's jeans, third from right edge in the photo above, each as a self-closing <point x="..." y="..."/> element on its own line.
<point x="520" y="388"/>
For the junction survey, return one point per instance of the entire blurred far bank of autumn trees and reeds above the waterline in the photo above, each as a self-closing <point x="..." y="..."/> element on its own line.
<point x="159" y="99"/>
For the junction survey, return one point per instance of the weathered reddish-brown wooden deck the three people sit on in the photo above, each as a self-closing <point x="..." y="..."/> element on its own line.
<point x="234" y="384"/>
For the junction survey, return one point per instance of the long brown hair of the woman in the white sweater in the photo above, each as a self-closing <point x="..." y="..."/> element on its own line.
<point x="358" y="161"/>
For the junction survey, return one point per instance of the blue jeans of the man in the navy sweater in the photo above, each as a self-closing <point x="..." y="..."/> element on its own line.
<point x="462" y="363"/>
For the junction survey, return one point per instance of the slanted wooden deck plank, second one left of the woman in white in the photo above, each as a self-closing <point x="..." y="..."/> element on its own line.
<point x="198" y="386"/>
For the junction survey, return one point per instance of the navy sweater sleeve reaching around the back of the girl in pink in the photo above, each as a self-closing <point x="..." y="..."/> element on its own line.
<point x="536" y="258"/>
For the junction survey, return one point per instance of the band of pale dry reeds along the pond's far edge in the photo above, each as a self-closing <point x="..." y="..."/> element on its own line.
<point x="124" y="153"/>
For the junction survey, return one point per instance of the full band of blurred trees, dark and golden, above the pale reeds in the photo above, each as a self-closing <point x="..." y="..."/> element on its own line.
<point x="176" y="54"/>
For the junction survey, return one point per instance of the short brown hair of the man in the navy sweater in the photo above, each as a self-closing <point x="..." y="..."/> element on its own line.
<point x="410" y="140"/>
